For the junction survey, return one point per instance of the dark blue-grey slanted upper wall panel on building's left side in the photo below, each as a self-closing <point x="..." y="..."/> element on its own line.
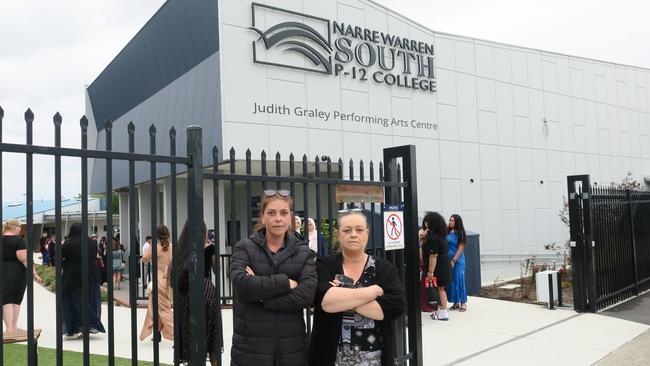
<point x="179" y="36"/>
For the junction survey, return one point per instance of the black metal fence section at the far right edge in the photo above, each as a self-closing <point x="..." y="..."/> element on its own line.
<point x="610" y="243"/>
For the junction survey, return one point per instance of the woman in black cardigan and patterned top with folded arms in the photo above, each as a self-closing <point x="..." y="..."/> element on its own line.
<point x="357" y="296"/>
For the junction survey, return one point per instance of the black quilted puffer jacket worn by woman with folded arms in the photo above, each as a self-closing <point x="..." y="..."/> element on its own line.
<point x="268" y="322"/>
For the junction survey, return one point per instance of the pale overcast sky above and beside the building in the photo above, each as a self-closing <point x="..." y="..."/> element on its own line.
<point x="49" y="50"/>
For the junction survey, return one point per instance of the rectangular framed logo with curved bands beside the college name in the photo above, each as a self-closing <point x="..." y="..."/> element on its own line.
<point x="298" y="41"/>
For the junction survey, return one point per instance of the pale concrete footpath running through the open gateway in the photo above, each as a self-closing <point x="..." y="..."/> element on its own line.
<point x="491" y="332"/>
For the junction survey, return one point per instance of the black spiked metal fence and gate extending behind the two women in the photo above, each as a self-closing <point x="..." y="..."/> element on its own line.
<point x="313" y="184"/>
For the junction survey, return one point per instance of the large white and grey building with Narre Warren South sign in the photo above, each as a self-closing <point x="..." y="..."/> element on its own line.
<point x="497" y="128"/>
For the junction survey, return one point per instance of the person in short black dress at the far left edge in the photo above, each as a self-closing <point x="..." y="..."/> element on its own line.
<point x="13" y="281"/>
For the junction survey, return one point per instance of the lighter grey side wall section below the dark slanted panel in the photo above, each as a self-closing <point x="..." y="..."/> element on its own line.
<point x="192" y="99"/>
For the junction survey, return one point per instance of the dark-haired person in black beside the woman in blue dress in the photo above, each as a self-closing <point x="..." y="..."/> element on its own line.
<point x="436" y="259"/>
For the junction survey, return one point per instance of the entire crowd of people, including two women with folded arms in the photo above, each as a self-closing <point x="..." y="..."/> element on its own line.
<point x="277" y="272"/>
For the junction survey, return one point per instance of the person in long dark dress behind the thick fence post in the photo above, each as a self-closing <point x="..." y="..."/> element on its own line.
<point x="213" y="336"/>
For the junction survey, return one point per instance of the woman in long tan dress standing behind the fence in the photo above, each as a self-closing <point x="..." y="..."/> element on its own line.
<point x="164" y="255"/>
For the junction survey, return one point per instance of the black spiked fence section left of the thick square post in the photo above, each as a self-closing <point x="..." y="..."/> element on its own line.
<point x="109" y="156"/>
